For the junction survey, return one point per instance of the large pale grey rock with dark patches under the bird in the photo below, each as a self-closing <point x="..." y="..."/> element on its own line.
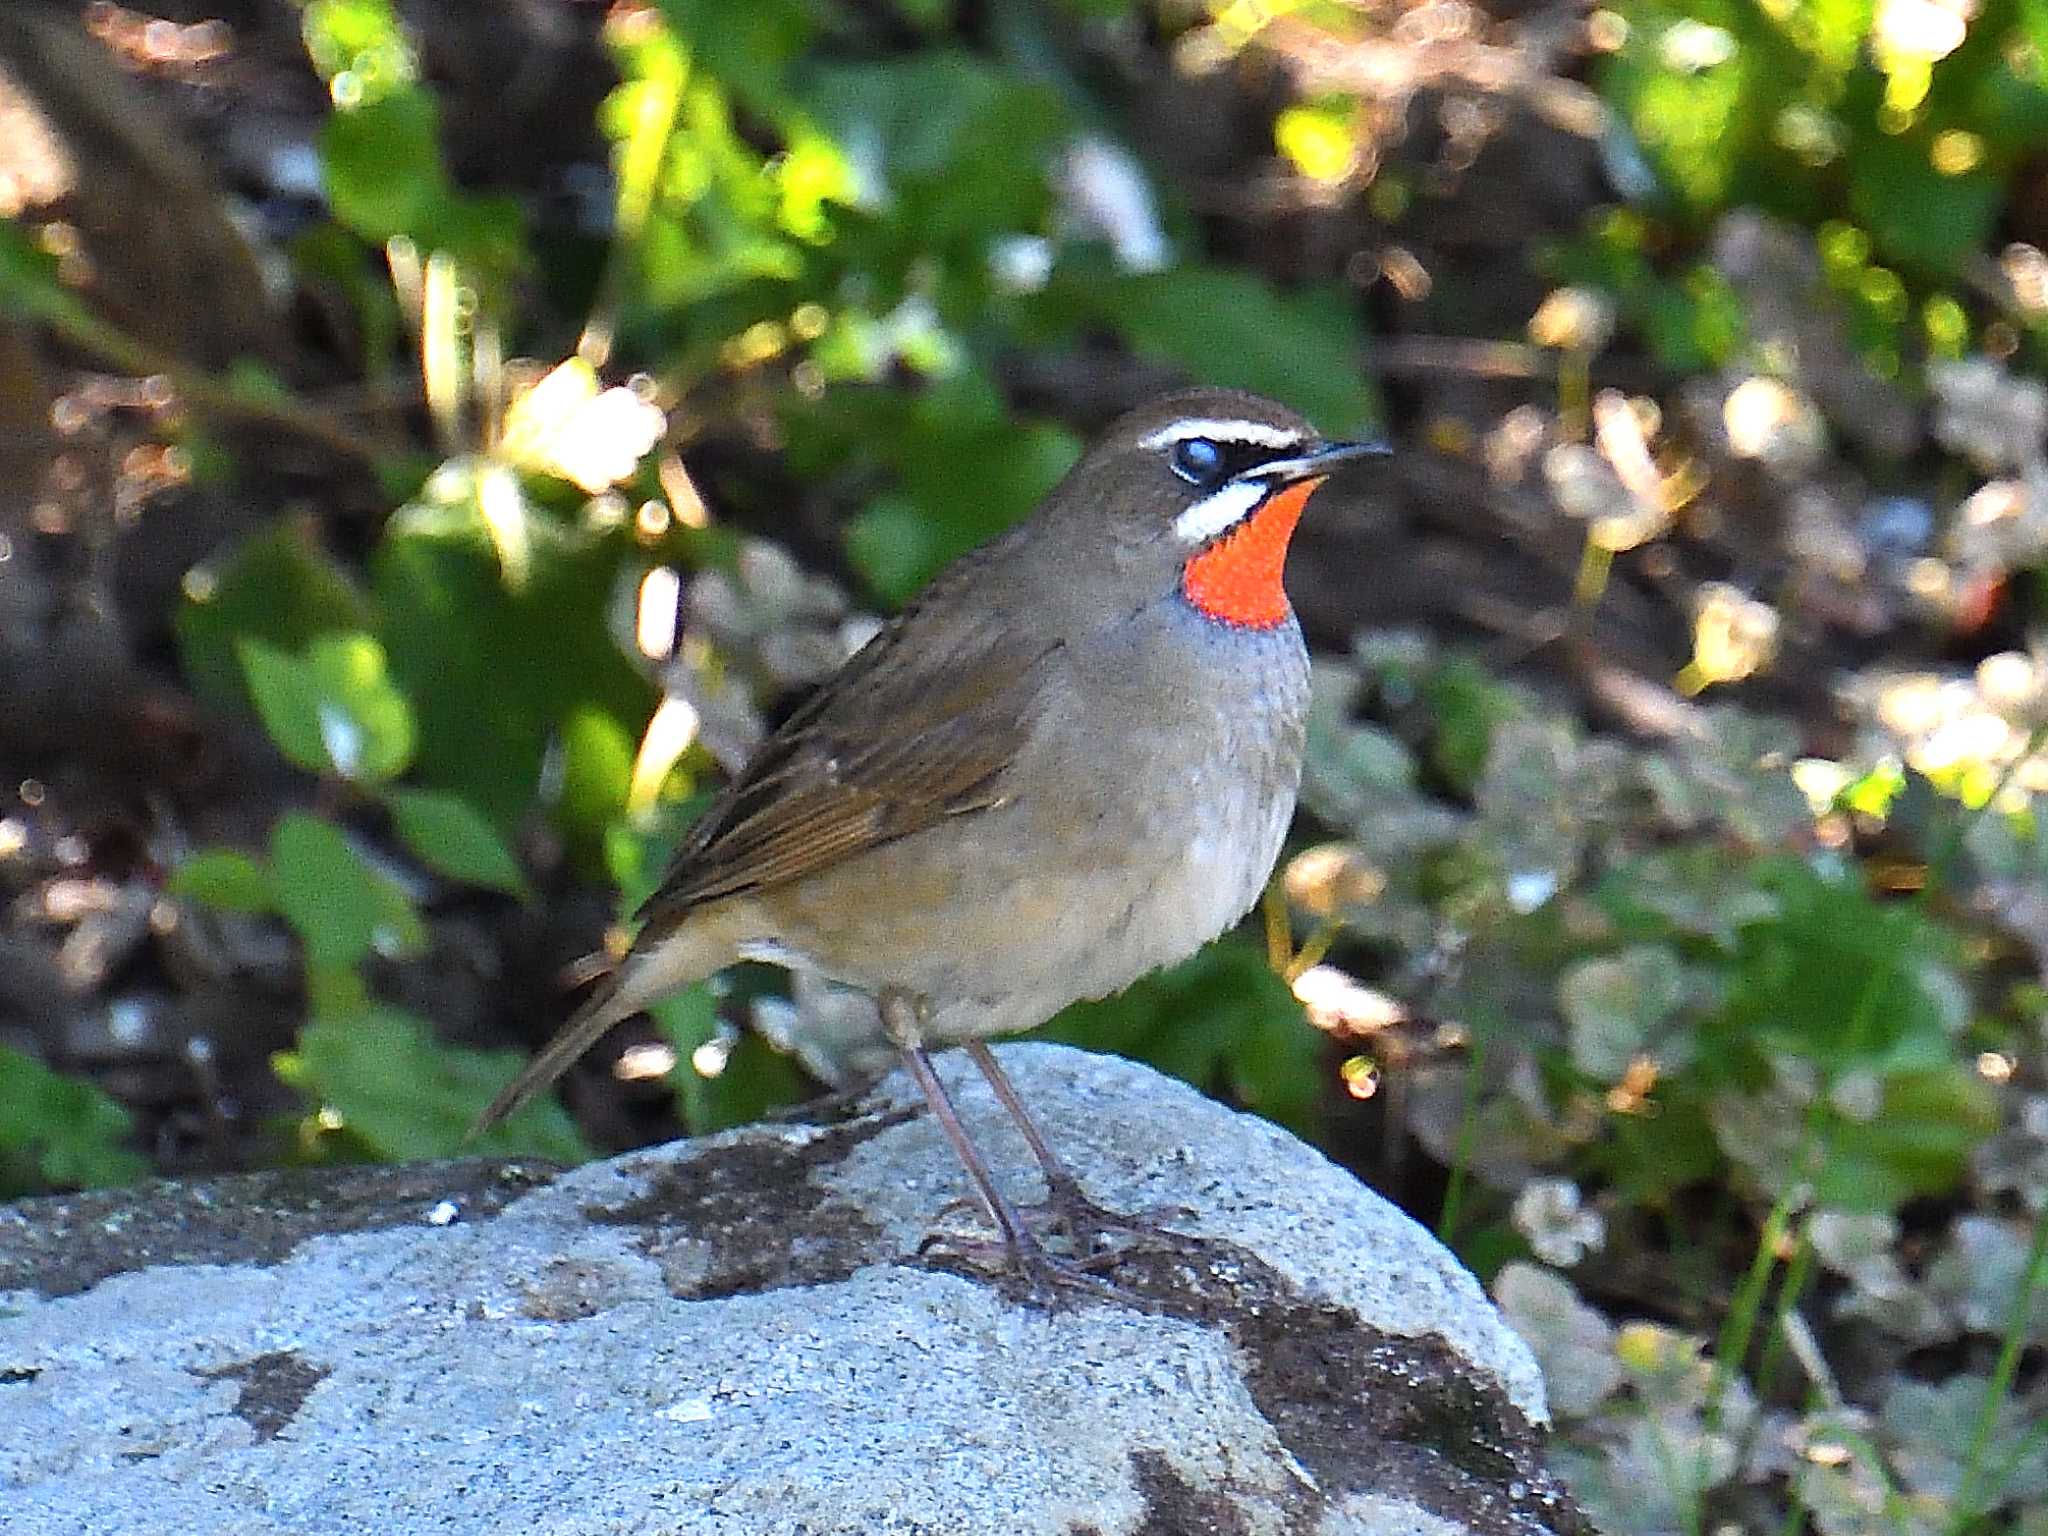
<point x="738" y="1336"/>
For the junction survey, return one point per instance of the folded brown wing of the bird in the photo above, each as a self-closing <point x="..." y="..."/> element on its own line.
<point x="912" y="730"/>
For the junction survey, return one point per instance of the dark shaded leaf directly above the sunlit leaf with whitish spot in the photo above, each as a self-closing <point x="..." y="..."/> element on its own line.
<point x="278" y="587"/>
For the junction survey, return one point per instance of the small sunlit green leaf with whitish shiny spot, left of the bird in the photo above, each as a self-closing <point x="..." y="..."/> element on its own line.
<point x="333" y="710"/>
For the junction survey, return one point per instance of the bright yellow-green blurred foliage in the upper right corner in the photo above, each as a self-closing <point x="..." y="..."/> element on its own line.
<point x="1900" y="134"/>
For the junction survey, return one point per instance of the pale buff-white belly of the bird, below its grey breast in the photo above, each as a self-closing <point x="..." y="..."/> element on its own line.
<point x="1002" y="919"/>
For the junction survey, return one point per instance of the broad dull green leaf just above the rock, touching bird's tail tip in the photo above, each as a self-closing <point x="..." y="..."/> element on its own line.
<point x="404" y="1095"/>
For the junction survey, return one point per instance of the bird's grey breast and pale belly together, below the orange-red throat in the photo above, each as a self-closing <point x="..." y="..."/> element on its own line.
<point x="1140" y="822"/>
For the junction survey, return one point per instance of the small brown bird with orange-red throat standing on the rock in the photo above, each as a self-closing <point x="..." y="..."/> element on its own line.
<point x="1068" y="763"/>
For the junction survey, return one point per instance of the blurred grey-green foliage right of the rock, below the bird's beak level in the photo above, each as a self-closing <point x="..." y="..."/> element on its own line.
<point x="1672" y="1007"/>
